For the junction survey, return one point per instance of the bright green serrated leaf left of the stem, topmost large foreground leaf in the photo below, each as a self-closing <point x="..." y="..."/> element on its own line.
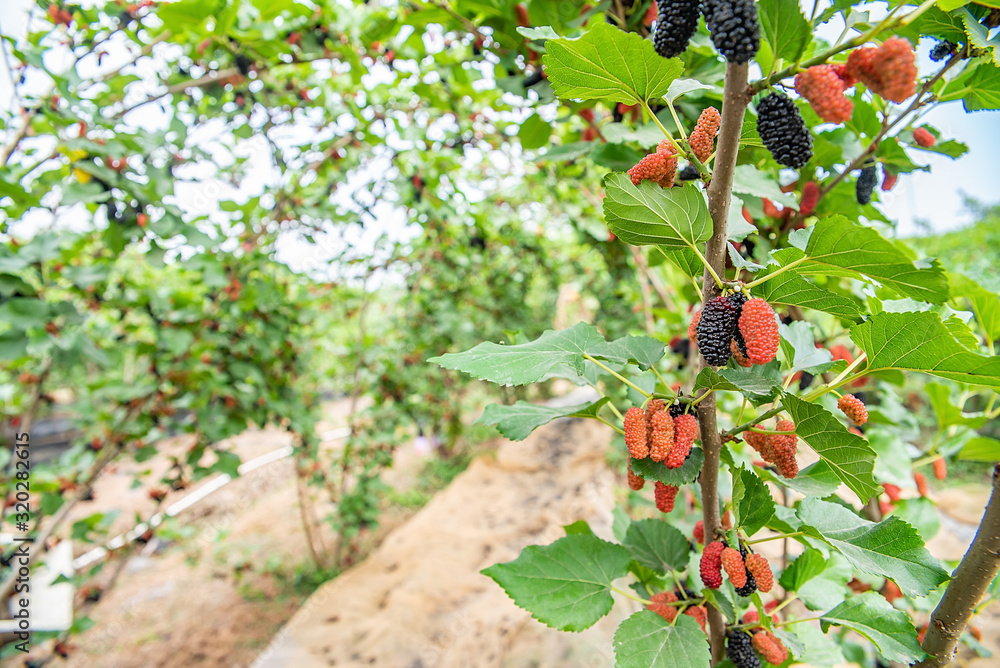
<point x="608" y="64"/>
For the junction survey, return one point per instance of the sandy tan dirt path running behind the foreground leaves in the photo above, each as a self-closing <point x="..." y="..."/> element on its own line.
<point x="419" y="600"/>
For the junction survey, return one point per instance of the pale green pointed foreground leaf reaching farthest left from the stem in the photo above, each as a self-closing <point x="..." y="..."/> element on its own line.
<point x="525" y="363"/>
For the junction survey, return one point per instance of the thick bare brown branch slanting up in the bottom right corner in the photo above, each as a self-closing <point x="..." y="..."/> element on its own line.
<point x="969" y="582"/>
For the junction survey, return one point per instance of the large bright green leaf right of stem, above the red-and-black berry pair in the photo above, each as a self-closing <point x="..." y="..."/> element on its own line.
<point x="849" y="247"/>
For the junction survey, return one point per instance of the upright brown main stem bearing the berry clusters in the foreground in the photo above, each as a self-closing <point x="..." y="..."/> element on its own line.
<point x="734" y="103"/>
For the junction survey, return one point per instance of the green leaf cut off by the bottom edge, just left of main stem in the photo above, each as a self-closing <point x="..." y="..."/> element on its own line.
<point x="646" y="640"/>
